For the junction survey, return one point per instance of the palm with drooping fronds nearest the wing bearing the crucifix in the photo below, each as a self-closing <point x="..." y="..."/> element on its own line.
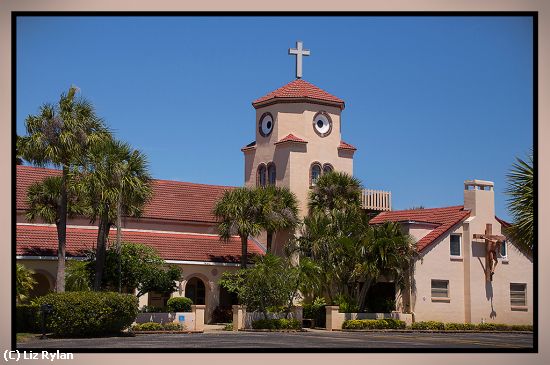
<point x="387" y="251"/>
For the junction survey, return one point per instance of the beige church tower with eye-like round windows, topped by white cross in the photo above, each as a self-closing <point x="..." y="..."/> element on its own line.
<point x="298" y="137"/>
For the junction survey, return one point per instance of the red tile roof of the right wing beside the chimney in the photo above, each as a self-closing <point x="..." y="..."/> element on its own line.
<point x="443" y="218"/>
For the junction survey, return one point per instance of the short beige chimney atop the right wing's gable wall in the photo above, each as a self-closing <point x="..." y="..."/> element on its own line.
<point x="479" y="198"/>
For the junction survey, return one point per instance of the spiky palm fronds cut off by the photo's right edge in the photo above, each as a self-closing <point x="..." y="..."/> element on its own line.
<point x="520" y="203"/>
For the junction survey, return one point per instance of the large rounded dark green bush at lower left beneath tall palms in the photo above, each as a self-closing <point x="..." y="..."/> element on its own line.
<point x="89" y="313"/>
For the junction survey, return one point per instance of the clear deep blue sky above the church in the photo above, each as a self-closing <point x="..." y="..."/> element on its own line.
<point x="430" y="101"/>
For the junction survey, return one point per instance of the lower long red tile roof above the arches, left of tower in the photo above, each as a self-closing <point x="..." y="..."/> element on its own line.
<point x="37" y="240"/>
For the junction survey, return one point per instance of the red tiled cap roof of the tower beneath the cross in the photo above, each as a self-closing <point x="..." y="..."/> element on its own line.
<point x="299" y="89"/>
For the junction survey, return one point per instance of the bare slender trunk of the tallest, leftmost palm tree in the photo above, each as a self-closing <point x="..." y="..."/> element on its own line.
<point x="62" y="234"/>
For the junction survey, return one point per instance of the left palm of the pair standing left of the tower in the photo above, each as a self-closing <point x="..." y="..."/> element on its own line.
<point x="240" y="212"/>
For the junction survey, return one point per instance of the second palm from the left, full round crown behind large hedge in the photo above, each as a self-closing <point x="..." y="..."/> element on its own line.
<point x="117" y="182"/>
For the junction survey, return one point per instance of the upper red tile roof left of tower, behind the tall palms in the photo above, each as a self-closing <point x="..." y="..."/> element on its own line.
<point x="172" y="200"/>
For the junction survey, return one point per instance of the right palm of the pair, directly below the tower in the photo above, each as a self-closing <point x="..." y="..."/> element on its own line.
<point x="280" y="211"/>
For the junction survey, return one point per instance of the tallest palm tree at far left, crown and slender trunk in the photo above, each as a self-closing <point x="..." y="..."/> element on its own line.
<point x="59" y="135"/>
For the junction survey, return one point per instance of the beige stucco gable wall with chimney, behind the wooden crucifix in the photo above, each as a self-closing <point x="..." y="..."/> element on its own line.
<point x="472" y="298"/>
